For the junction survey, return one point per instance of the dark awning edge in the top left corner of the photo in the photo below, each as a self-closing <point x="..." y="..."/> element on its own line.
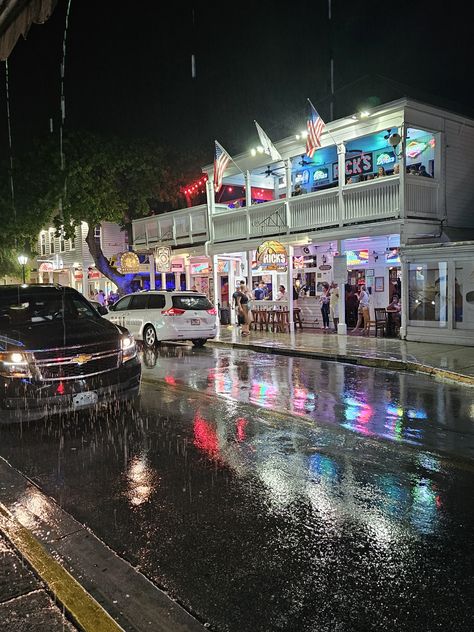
<point x="16" y="17"/>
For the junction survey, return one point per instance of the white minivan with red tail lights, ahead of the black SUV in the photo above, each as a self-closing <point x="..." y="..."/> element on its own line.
<point x="158" y="316"/>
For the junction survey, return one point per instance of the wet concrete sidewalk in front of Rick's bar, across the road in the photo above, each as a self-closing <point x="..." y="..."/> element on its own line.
<point x="448" y="362"/>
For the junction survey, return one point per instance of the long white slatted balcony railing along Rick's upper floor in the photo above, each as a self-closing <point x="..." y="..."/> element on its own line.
<point x="356" y="203"/>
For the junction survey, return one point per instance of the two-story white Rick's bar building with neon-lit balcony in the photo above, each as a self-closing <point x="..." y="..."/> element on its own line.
<point x="407" y="178"/>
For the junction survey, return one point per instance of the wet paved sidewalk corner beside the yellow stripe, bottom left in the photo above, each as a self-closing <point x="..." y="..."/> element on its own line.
<point x="24" y="604"/>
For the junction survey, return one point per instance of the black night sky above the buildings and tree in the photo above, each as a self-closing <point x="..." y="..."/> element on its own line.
<point x="129" y="72"/>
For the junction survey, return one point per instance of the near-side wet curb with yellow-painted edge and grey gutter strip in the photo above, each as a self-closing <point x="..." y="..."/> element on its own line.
<point x="111" y="594"/>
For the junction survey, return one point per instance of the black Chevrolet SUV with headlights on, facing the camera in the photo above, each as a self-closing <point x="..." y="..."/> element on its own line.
<point x="57" y="354"/>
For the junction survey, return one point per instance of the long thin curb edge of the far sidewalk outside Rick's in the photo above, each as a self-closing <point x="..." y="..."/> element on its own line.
<point x="382" y="363"/>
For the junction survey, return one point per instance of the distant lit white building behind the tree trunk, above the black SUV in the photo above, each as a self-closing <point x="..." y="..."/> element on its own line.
<point x="68" y="261"/>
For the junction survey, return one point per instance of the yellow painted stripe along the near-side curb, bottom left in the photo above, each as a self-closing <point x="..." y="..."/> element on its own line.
<point x="83" y="608"/>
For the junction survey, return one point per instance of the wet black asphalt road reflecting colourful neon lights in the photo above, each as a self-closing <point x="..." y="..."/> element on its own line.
<point x="259" y="521"/>
